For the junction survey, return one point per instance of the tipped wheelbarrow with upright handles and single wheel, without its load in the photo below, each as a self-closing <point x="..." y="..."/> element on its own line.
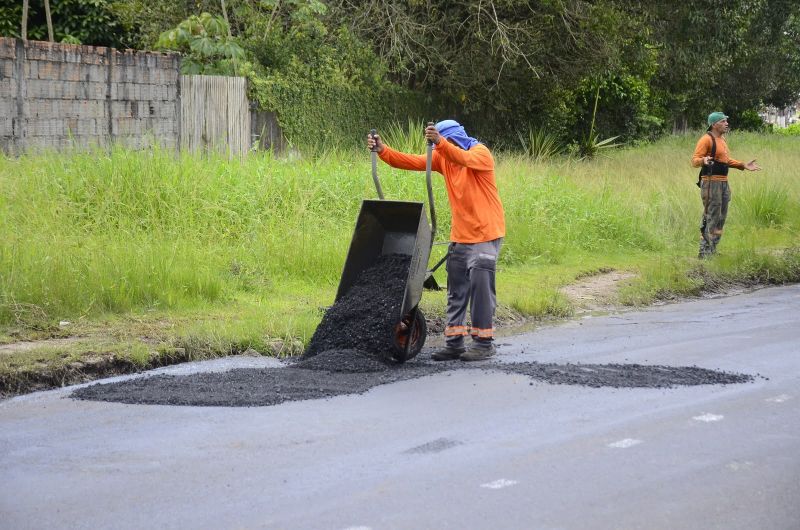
<point x="396" y="227"/>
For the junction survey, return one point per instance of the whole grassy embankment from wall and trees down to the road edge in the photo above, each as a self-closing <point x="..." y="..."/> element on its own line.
<point x="146" y="258"/>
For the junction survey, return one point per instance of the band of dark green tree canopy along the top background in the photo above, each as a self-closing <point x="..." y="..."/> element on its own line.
<point x="632" y="69"/>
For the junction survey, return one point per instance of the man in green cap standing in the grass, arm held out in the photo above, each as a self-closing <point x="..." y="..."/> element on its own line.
<point x="711" y="153"/>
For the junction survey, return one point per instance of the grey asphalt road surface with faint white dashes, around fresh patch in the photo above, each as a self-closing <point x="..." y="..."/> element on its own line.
<point x="462" y="449"/>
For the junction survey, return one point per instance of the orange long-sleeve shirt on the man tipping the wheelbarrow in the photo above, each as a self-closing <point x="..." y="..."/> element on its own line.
<point x="475" y="207"/>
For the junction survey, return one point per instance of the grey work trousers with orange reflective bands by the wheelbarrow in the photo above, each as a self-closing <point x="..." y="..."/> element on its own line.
<point x="471" y="283"/>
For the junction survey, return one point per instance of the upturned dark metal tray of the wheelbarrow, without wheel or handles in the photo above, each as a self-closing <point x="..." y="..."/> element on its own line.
<point x="390" y="227"/>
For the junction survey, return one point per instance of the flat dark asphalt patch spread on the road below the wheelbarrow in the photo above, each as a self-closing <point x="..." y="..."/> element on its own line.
<point x="248" y="387"/>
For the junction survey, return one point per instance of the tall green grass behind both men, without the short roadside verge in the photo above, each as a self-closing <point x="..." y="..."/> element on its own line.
<point x="117" y="231"/>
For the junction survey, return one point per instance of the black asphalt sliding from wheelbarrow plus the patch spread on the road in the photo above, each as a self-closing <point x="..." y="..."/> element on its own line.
<point x="350" y="353"/>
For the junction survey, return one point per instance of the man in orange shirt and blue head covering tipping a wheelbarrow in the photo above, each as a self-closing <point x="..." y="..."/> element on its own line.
<point x="477" y="230"/>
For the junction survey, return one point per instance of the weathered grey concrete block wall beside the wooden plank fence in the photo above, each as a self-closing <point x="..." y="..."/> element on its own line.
<point x="59" y="96"/>
